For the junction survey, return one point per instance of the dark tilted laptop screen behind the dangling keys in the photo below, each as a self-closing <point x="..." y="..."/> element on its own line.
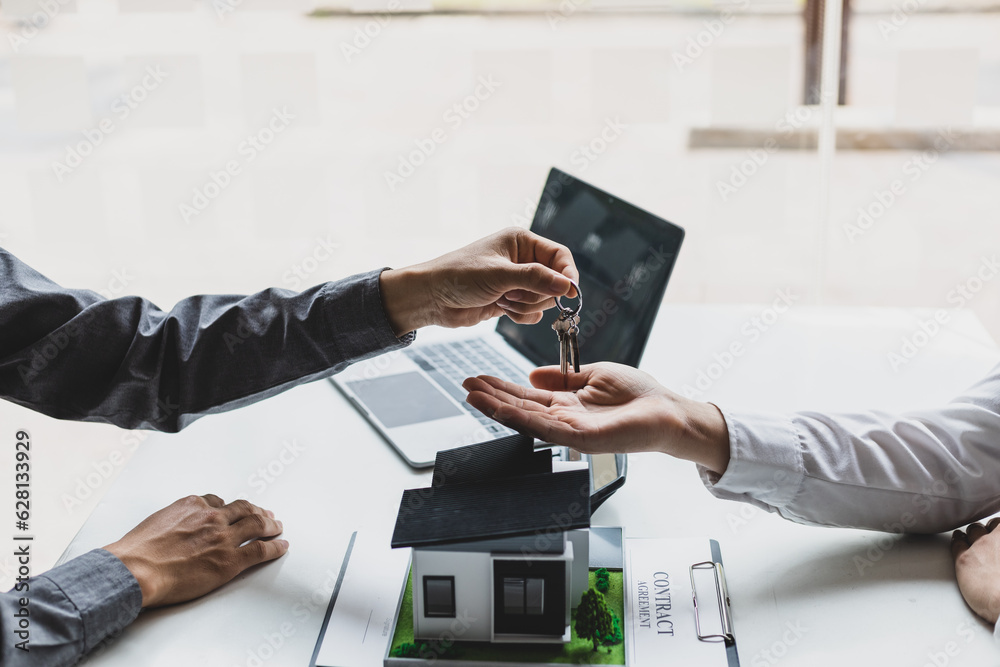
<point x="625" y="256"/>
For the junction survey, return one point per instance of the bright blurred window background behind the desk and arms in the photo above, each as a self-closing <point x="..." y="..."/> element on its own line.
<point x="166" y="147"/>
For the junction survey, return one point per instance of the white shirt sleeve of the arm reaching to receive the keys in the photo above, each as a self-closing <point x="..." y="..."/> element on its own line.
<point x="924" y="471"/>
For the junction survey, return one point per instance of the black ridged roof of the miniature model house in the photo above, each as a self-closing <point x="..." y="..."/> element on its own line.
<point x="482" y="492"/>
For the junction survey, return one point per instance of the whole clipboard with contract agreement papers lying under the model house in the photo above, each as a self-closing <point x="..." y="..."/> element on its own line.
<point x="685" y="615"/>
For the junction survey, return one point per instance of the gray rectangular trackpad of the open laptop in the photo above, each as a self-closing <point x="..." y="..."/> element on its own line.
<point x="402" y="399"/>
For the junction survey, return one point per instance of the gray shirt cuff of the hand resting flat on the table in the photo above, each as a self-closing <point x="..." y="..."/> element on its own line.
<point x="58" y="617"/>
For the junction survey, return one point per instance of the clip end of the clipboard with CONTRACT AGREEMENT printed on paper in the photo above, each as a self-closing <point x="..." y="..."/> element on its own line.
<point x="679" y="603"/>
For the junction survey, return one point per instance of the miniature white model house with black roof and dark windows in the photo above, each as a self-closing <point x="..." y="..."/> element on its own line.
<point x="500" y="545"/>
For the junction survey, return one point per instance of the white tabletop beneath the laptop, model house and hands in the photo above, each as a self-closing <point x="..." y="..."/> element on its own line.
<point x="901" y="610"/>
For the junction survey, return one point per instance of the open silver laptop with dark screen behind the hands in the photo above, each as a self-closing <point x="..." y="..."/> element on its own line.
<point x="414" y="397"/>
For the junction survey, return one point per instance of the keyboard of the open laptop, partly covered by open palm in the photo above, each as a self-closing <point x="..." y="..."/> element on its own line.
<point x="449" y="364"/>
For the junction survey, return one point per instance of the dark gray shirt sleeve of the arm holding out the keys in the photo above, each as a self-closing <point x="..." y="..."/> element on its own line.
<point x="73" y="354"/>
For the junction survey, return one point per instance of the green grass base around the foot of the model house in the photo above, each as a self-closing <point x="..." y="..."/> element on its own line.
<point x="576" y="652"/>
